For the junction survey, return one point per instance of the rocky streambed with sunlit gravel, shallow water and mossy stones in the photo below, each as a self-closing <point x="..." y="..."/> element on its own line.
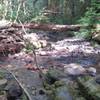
<point x="70" y="70"/>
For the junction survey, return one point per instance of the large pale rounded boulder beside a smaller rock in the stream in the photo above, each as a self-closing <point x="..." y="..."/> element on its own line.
<point x="74" y="69"/>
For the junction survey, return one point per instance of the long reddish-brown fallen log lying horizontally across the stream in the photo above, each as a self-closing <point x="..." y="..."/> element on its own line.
<point x="49" y="27"/>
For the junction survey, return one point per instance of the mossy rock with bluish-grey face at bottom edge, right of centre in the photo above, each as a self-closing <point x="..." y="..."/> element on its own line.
<point x="63" y="91"/>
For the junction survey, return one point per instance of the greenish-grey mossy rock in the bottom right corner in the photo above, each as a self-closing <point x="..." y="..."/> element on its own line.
<point x="89" y="88"/>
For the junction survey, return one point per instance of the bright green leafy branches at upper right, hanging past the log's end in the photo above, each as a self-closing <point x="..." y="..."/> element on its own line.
<point x="90" y="18"/>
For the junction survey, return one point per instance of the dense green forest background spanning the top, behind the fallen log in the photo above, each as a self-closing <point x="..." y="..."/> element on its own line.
<point x="85" y="12"/>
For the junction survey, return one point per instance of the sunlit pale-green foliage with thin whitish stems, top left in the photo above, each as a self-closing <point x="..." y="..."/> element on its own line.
<point x="25" y="11"/>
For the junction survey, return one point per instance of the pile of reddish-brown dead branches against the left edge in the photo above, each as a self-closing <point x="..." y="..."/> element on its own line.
<point x="10" y="39"/>
